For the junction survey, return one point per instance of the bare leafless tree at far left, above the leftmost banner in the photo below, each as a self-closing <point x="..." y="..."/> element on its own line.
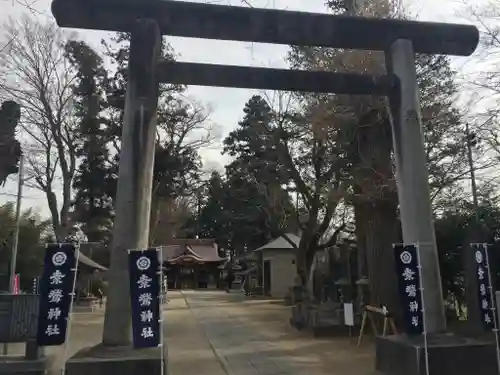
<point x="35" y="73"/>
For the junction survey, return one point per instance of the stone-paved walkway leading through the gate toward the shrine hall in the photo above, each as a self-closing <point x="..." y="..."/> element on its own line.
<point x="252" y="337"/>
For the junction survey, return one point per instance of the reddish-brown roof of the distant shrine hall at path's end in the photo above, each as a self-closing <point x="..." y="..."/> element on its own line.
<point x="197" y="250"/>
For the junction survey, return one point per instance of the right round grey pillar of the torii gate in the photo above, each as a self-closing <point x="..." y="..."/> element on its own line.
<point x="413" y="180"/>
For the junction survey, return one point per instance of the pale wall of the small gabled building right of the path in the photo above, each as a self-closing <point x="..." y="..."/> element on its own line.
<point x="283" y="270"/>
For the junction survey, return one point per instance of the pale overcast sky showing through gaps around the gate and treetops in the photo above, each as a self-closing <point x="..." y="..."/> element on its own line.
<point x="227" y="104"/>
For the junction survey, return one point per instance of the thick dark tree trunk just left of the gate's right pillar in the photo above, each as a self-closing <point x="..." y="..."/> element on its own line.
<point x="378" y="207"/>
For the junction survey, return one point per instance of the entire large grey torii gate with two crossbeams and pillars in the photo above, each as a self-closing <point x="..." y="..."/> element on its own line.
<point x="147" y="20"/>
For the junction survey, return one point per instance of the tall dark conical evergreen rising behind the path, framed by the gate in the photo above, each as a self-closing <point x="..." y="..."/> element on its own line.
<point x="256" y="200"/>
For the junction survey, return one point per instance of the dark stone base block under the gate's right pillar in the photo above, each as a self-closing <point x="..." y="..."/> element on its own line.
<point x="447" y="355"/>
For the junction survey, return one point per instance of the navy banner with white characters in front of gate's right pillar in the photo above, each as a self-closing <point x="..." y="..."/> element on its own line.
<point x="410" y="292"/>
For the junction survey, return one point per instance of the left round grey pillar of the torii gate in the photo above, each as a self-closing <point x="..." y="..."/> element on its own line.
<point x="133" y="198"/>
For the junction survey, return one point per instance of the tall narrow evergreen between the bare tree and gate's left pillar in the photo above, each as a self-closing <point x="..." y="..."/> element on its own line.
<point x="94" y="179"/>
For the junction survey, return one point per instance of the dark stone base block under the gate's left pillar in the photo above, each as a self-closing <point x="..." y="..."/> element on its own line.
<point x="103" y="360"/>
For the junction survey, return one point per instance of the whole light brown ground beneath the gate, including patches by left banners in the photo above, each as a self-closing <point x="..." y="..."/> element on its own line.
<point x="214" y="333"/>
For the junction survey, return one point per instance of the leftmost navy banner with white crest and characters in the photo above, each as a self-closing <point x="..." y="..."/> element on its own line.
<point x="56" y="292"/>
